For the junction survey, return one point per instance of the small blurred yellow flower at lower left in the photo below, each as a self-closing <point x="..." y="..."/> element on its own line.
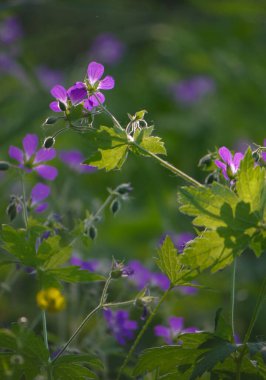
<point x="51" y="299"/>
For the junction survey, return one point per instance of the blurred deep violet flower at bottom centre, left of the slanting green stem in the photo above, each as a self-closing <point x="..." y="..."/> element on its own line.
<point x="119" y="324"/>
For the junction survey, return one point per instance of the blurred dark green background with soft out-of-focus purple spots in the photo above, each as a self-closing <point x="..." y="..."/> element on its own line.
<point x="197" y="67"/>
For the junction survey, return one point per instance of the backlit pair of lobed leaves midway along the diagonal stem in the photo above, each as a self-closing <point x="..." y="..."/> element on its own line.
<point x="108" y="147"/>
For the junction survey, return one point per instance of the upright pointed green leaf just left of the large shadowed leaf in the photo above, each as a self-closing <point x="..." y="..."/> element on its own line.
<point x="169" y="262"/>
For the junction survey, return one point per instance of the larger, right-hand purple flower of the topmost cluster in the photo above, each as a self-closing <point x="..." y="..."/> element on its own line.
<point x="89" y="91"/>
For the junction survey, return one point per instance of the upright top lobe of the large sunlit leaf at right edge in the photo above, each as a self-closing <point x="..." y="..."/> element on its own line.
<point x="250" y="183"/>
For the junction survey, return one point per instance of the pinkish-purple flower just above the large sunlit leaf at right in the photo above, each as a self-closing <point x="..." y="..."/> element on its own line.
<point x="229" y="164"/>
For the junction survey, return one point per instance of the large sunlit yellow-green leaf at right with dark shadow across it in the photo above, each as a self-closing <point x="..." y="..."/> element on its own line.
<point x="232" y="221"/>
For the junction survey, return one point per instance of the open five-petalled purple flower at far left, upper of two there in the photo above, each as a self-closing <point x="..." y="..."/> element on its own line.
<point x="32" y="160"/>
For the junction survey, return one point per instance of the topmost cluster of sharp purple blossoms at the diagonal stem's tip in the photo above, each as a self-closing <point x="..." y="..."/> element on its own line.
<point x="88" y="92"/>
